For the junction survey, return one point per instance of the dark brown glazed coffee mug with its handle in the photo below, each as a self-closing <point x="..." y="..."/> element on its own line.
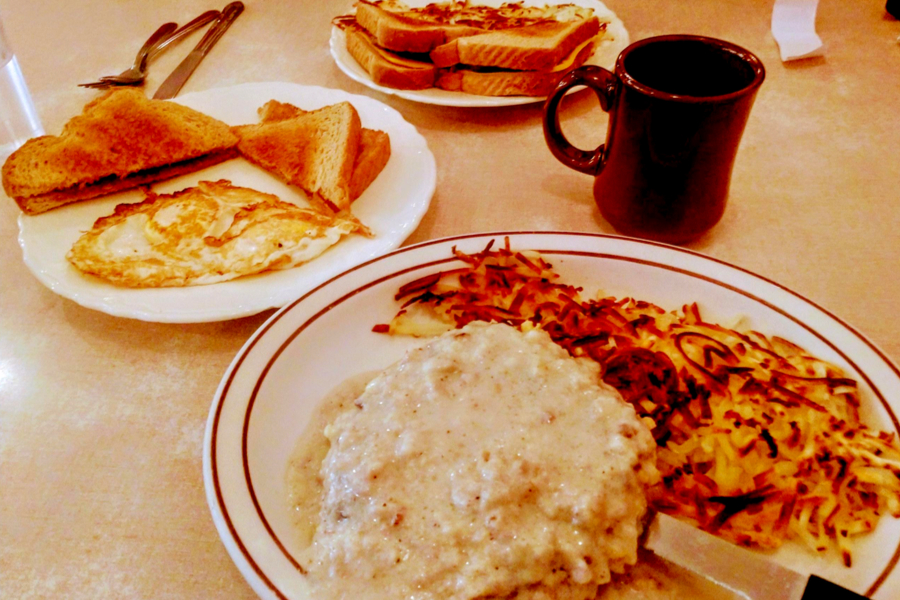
<point x="677" y="107"/>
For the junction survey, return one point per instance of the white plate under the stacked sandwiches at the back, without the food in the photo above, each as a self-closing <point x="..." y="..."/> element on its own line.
<point x="615" y="40"/>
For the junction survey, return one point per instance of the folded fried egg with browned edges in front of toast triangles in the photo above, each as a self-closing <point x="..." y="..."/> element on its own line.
<point x="205" y="234"/>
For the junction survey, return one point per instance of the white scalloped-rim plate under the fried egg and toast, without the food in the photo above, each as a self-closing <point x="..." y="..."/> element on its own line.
<point x="392" y="208"/>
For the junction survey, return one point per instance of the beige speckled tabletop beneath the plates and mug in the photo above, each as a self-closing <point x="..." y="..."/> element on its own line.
<point x="102" y="418"/>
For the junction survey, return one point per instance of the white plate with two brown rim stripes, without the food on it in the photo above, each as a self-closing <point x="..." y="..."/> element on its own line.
<point x="270" y="390"/>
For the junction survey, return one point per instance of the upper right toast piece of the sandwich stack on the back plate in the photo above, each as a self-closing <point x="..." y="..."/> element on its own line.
<point x="538" y="47"/>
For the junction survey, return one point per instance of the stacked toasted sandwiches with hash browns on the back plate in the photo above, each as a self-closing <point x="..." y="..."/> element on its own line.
<point x="512" y="50"/>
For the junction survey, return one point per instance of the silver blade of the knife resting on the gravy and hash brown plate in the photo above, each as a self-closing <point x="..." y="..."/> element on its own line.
<point x="745" y="573"/>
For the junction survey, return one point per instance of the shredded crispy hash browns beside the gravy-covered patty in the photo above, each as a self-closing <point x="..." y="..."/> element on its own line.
<point x="758" y="441"/>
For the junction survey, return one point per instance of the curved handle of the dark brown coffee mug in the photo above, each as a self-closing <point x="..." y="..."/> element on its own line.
<point x="603" y="83"/>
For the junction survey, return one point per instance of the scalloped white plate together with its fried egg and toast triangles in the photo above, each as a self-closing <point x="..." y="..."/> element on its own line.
<point x="218" y="205"/>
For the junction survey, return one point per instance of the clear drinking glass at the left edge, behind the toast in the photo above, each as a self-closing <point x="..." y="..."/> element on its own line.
<point x="18" y="118"/>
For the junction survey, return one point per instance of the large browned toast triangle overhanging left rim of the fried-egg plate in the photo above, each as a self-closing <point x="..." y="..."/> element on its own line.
<point x="120" y="141"/>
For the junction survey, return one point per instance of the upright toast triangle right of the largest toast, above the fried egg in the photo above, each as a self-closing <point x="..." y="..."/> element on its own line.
<point x="315" y="150"/>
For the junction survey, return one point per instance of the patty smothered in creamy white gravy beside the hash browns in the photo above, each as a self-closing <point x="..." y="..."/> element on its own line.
<point x="488" y="463"/>
